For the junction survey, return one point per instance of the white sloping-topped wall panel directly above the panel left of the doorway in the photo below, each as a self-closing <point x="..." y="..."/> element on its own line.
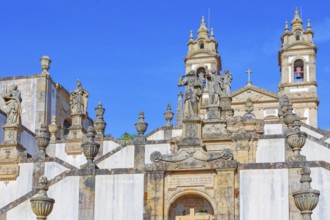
<point x="121" y="159"/>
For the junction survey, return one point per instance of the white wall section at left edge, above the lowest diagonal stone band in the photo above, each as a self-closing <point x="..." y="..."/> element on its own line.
<point x="15" y="189"/>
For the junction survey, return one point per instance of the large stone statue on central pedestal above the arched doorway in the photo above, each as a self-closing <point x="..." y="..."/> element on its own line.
<point x="192" y="94"/>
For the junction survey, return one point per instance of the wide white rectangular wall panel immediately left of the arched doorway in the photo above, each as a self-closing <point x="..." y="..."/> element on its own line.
<point x="122" y="198"/>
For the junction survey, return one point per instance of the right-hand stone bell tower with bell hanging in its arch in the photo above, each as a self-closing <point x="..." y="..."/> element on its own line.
<point x="298" y="70"/>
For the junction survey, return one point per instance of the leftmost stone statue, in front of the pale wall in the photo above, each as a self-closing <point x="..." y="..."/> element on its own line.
<point x="13" y="106"/>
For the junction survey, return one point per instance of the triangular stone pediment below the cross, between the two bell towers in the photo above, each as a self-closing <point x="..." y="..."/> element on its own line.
<point x="255" y="93"/>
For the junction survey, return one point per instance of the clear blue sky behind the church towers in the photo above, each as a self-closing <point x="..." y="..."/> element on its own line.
<point x="129" y="54"/>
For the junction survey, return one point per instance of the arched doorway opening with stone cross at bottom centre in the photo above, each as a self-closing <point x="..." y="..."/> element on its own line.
<point x="191" y="207"/>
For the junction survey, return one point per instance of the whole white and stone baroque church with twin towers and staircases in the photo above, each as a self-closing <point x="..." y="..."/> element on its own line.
<point x="230" y="155"/>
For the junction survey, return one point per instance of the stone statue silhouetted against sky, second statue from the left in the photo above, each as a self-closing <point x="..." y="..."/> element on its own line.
<point x="78" y="100"/>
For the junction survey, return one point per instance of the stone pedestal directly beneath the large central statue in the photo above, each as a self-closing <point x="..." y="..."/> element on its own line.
<point x="191" y="132"/>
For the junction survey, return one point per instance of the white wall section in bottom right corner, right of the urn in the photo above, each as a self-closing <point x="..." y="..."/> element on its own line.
<point x="320" y="181"/>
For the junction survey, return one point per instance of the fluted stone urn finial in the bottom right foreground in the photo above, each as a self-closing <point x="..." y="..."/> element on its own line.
<point x="306" y="199"/>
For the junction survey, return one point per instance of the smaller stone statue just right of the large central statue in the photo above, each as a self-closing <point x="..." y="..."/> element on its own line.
<point x="215" y="86"/>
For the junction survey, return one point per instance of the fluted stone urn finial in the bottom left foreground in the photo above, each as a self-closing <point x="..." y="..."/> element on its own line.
<point x="41" y="204"/>
